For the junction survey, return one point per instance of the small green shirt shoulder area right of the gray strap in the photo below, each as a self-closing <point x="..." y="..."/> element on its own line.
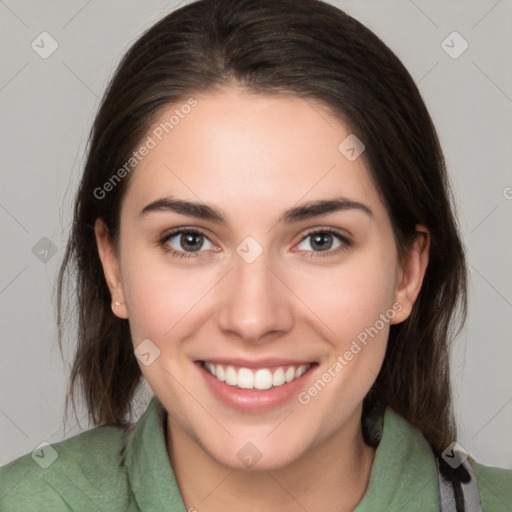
<point x="495" y="487"/>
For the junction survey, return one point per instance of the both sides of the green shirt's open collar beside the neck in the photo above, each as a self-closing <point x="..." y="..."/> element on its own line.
<point x="403" y="468"/>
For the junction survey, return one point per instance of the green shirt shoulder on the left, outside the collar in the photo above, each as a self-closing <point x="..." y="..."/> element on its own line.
<point x="82" y="472"/>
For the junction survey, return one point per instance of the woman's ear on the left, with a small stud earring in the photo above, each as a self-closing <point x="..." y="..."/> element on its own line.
<point x="111" y="269"/>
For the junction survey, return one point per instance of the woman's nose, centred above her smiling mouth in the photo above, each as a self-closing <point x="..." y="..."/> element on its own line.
<point x="257" y="306"/>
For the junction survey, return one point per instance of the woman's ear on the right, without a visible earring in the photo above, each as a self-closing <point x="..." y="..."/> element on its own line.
<point x="410" y="275"/>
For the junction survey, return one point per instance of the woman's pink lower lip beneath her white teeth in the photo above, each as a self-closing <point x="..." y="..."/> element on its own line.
<point x="253" y="400"/>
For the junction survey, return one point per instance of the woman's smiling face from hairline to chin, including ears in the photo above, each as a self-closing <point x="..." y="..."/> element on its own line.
<point x="253" y="242"/>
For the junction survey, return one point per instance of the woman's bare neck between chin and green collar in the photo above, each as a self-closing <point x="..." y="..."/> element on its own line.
<point x="332" y="476"/>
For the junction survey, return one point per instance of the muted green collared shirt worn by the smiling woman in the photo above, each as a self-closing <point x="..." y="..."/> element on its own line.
<point x="107" y="469"/>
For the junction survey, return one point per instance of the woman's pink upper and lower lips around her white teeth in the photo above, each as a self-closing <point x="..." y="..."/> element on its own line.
<point x="251" y="400"/>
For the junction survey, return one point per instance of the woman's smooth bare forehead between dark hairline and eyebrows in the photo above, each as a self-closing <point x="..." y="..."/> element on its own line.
<point x="236" y="149"/>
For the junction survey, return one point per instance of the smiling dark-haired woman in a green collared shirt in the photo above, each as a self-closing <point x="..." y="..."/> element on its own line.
<point x="264" y="233"/>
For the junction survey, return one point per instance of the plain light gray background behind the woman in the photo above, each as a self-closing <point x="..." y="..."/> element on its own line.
<point x="47" y="107"/>
